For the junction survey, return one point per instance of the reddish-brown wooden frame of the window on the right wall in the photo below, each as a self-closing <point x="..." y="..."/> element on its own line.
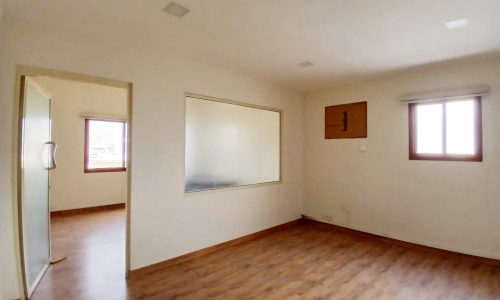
<point x="478" y="142"/>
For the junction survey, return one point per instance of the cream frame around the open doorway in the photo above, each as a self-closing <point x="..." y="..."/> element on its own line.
<point x="21" y="72"/>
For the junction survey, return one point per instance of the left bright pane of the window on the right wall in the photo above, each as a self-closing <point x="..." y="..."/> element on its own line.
<point x="430" y="129"/>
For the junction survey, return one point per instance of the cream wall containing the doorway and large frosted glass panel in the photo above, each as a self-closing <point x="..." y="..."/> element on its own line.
<point x="165" y="222"/>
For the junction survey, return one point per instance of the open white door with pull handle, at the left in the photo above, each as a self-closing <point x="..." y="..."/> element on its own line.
<point x="36" y="159"/>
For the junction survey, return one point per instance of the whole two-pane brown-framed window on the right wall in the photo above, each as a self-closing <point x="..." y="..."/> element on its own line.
<point x="446" y="130"/>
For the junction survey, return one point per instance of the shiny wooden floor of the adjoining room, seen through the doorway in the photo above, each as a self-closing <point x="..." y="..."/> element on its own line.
<point x="95" y="246"/>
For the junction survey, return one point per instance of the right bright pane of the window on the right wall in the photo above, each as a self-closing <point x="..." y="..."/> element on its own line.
<point x="460" y="127"/>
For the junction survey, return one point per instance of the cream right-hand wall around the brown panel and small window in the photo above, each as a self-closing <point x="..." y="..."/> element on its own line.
<point x="450" y="205"/>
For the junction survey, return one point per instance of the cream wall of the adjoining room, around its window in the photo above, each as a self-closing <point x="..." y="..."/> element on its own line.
<point x="70" y="187"/>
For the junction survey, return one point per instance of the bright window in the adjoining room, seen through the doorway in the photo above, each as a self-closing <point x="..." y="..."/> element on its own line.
<point x="105" y="146"/>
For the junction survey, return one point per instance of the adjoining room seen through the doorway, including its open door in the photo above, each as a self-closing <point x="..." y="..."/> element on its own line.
<point x="80" y="222"/>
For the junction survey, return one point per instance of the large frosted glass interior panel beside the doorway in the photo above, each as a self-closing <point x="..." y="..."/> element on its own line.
<point x="230" y="144"/>
